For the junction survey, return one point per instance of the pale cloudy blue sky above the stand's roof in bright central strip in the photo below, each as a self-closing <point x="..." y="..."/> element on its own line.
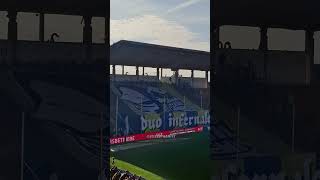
<point x="180" y="23"/>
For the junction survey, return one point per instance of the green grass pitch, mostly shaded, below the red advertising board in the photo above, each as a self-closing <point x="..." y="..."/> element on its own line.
<point x="181" y="159"/>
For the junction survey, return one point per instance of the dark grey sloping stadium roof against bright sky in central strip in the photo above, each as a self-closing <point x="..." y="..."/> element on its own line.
<point x="148" y="55"/>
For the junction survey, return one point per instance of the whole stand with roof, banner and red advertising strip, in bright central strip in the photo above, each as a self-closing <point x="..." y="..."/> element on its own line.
<point x="142" y="105"/>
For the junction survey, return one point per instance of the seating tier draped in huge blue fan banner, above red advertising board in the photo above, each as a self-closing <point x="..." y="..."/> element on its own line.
<point x="154" y="99"/>
